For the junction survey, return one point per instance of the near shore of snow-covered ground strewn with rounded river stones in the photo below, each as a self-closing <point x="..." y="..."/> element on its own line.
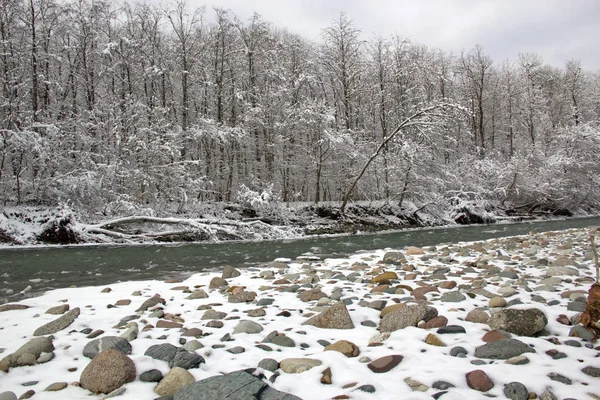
<point x="456" y="321"/>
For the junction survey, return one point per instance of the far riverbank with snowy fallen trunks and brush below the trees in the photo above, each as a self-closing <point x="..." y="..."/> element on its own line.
<point x="33" y="227"/>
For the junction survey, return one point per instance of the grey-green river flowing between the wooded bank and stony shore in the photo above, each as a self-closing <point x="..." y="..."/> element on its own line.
<point x="48" y="268"/>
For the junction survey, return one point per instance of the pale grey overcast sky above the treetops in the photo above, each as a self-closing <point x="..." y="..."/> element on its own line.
<point x="558" y="30"/>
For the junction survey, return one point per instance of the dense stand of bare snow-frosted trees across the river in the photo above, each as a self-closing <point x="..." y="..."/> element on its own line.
<point x="116" y="107"/>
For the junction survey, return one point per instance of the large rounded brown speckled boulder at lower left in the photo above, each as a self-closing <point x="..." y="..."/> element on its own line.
<point x="109" y="370"/>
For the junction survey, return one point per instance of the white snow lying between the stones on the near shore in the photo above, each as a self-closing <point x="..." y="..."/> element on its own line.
<point x="421" y="362"/>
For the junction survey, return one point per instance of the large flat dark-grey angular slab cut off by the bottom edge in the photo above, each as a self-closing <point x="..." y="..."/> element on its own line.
<point x="235" y="385"/>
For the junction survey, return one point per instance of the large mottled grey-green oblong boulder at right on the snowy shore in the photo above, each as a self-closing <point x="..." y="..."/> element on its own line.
<point x="520" y="322"/>
